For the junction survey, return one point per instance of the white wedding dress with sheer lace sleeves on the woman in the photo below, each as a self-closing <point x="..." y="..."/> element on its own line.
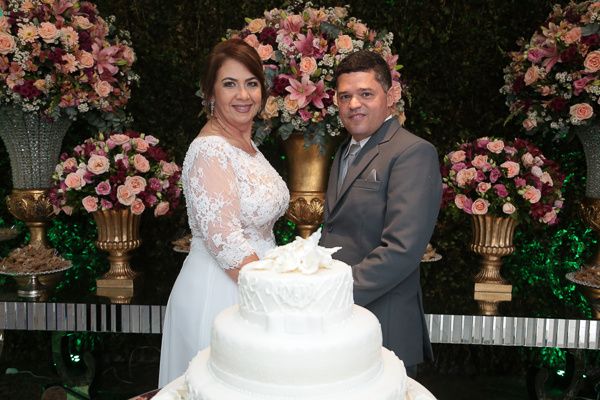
<point x="233" y="199"/>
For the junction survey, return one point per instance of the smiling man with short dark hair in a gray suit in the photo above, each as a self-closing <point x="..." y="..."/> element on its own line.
<point x="382" y="203"/>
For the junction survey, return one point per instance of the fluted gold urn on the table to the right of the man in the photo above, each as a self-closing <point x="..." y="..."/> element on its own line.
<point x="492" y="240"/>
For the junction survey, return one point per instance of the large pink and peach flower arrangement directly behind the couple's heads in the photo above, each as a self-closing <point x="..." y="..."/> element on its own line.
<point x="300" y="51"/>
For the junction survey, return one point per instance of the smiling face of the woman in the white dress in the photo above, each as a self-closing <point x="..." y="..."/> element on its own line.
<point x="237" y="94"/>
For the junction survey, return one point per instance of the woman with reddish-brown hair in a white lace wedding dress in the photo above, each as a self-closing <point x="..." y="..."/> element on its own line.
<point x="233" y="197"/>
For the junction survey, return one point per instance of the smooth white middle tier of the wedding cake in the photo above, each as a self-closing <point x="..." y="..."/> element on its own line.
<point x="248" y="357"/>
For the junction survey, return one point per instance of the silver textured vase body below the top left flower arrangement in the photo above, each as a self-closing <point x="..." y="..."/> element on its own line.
<point x="33" y="144"/>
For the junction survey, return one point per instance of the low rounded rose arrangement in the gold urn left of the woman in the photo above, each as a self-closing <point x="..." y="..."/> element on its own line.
<point x="118" y="171"/>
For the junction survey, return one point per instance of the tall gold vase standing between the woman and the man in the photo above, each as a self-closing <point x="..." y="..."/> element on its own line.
<point x="308" y="172"/>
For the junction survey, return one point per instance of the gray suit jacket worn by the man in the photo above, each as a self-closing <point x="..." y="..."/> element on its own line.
<point x="383" y="221"/>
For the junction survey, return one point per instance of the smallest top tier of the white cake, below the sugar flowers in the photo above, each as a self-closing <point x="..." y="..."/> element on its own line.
<point x="293" y="302"/>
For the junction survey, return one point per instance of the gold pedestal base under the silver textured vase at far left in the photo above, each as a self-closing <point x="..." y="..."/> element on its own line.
<point x="33" y="207"/>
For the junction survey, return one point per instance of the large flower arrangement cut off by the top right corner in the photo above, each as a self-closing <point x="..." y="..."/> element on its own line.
<point x="553" y="81"/>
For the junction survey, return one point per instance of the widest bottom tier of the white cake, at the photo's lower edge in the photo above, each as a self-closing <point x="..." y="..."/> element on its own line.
<point x="390" y="383"/>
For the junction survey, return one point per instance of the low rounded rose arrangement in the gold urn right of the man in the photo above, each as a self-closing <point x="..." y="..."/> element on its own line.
<point x="490" y="176"/>
